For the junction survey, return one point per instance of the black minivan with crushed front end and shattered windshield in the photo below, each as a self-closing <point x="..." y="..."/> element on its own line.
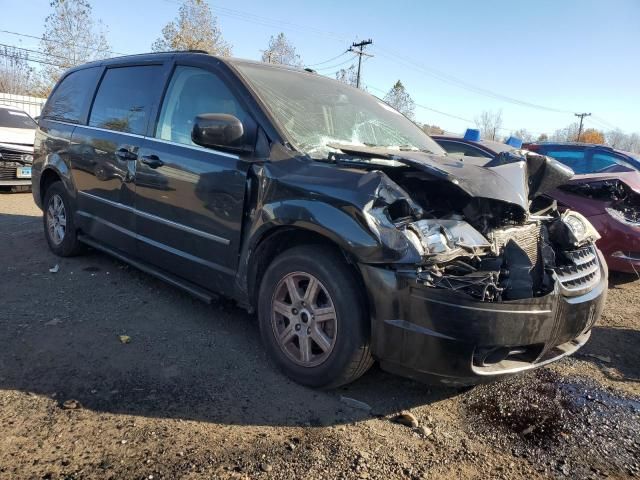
<point x="348" y="230"/>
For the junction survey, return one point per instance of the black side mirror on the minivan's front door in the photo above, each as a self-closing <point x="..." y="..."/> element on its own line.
<point x="219" y="130"/>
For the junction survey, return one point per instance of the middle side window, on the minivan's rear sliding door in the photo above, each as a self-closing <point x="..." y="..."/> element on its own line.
<point x="124" y="99"/>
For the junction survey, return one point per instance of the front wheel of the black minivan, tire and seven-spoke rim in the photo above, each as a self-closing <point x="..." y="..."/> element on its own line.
<point x="313" y="318"/>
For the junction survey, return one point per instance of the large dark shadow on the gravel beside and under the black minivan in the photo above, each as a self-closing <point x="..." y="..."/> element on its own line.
<point x="185" y="359"/>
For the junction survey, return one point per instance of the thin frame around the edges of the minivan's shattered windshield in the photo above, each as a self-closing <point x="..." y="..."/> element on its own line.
<point x="286" y="135"/>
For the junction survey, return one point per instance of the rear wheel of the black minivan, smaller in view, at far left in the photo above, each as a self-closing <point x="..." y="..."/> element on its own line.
<point x="58" y="222"/>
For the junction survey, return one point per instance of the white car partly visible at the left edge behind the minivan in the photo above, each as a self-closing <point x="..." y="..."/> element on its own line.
<point x="17" y="132"/>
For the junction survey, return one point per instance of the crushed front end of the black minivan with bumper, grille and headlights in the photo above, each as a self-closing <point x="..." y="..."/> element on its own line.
<point x="499" y="287"/>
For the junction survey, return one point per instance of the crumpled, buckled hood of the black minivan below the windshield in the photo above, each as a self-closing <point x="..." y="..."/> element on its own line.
<point x="511" y="177"/>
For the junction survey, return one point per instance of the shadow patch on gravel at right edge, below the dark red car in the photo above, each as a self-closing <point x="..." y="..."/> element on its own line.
<point x="615" y="352"/>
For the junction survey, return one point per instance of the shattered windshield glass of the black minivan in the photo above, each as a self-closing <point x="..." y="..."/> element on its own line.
<point x="317" y="111"/>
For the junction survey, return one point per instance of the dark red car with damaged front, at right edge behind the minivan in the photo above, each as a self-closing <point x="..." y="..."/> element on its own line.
<point x="606" y="190"/>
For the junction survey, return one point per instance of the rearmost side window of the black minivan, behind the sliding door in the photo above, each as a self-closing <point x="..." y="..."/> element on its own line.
<point x="70" y="100"/>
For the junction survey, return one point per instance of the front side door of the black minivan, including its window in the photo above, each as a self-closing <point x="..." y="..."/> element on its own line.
<point x="189" y="199"/>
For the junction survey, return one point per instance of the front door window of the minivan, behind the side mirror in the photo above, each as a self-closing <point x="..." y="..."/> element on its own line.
<point x="193" y="91"/>
